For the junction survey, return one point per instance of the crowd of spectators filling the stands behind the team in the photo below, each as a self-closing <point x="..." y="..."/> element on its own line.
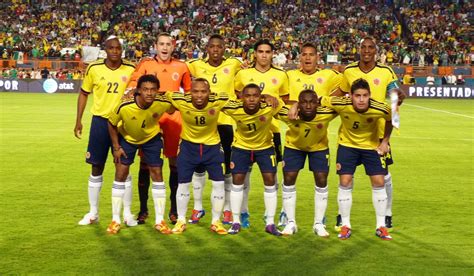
<point x="43" y="28"/>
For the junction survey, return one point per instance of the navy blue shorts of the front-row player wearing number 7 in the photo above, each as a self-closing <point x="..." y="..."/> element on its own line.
<point x="294" y="160"/>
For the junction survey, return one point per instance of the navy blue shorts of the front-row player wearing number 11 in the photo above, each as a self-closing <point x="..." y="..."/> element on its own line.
<point x="242" y="159"/>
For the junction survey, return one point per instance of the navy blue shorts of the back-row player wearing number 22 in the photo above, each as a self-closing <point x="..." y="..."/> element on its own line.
<point x="99" y="141"/>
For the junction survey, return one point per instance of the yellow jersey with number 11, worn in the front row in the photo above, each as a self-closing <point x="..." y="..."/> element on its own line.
<point x="253" y="130"/>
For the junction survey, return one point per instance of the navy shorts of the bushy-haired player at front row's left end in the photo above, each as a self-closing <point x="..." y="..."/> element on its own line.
<point x="151" y="151"/>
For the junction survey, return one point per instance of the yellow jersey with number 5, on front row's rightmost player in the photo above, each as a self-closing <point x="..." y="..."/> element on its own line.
<point x="358" y="130"/>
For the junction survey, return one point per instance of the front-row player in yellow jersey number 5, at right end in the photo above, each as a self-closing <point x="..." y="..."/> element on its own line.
<point x="359" y="143"/>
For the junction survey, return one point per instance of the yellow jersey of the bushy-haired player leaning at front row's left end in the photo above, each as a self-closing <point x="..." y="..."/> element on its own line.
<point x="138" y="125"/>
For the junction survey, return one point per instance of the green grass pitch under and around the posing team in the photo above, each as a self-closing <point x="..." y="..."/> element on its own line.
<point x="43" y="194"/>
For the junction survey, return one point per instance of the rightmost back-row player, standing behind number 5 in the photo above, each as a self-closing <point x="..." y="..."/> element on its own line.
<point x="382" y="80"/>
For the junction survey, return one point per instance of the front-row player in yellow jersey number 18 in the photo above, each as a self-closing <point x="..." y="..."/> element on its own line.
<point x="200" y="148"/>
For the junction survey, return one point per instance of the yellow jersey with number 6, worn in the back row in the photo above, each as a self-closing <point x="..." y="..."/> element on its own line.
<point x="220" y="78"/>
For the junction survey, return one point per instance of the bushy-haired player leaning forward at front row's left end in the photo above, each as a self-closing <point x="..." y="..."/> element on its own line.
<point x="133" y="126"/>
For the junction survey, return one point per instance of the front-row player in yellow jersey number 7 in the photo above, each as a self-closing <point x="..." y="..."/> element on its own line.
<point x="306" y="137"/>
